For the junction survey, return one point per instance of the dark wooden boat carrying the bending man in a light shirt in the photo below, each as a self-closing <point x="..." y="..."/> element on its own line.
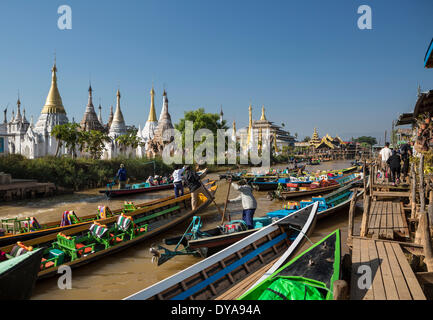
<point x="205" y="243"/>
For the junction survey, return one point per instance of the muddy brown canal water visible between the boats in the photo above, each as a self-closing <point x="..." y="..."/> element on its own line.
<point x="121" y="274"/>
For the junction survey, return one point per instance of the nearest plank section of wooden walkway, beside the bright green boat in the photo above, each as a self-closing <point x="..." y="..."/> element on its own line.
<point x="392" y="276"/>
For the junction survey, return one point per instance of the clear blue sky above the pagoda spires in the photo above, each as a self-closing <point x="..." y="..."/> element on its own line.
<point x="306" y="61"/>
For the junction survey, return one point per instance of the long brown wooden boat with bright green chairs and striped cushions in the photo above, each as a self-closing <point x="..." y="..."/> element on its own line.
<point x="84" y="244"/>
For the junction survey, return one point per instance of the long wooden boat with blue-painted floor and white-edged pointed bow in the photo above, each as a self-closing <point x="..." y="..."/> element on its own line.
<point x="214" y="275"/>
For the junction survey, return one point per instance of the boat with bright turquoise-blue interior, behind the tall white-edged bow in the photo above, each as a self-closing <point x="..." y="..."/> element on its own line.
<point x="328" y="204"/>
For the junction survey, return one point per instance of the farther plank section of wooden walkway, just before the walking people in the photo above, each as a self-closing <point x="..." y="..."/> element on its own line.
<point x="387" y="219"/>
